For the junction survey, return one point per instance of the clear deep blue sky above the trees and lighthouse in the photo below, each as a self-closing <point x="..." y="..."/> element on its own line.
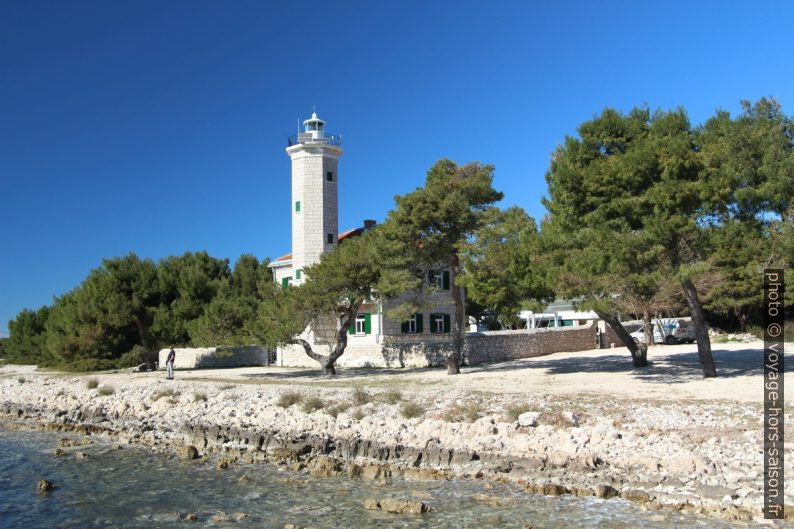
<point x="159" y="127"/>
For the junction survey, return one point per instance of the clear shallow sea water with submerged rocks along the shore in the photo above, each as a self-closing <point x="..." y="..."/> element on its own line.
<point x="137" y="488"/>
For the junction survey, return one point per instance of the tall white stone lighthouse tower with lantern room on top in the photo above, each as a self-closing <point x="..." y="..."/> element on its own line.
<point x="315" y="208"/>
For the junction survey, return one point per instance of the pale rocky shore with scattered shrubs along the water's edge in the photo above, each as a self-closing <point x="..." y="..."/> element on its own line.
<point x="698" y="456"/>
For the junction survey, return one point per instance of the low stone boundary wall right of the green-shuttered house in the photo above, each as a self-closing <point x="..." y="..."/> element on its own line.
<point x="502" y="346"/>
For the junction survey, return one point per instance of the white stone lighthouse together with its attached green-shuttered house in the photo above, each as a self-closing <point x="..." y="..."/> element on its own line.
<point x="374" y="339"/>
